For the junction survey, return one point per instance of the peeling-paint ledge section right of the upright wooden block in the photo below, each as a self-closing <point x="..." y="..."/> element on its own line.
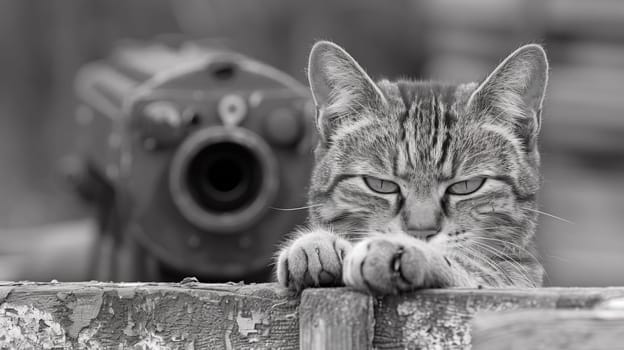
<point x="440" y="319"/>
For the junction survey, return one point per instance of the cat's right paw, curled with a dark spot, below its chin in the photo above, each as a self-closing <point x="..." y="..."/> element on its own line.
<point x="385" y="265"/>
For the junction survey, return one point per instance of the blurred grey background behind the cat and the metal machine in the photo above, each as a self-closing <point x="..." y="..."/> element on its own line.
<point x="46" y="232"/>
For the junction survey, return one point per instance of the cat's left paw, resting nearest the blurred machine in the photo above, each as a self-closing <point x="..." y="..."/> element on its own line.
<point x="312" y="260"/>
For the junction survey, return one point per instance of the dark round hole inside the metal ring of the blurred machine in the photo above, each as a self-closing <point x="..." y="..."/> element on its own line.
<point x="224" y="177"/>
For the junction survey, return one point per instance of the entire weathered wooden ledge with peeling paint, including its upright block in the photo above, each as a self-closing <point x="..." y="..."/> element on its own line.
<point x="95" y="315"/>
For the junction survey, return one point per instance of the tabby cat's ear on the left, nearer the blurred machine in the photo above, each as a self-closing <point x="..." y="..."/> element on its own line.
<point x="340" y="87"/>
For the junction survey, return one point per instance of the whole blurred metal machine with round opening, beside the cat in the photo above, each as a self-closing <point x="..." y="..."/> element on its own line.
<point x="188" y="150"/>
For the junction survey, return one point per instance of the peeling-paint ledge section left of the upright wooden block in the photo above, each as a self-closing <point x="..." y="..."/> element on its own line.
<point x="147" y="316"/>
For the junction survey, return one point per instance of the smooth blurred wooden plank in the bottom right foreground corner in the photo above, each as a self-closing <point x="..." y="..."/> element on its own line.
<point x="549" y="330"/>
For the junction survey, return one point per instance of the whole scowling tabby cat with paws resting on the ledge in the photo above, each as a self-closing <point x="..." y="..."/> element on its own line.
<point x="421" y="184"/>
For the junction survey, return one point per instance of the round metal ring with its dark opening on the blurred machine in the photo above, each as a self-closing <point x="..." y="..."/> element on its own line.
<point x="223" y="179"/>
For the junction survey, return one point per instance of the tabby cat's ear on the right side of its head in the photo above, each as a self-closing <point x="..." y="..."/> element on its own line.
<point x="514" y="92"/>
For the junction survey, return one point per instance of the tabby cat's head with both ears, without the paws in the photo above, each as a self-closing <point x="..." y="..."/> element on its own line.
<point x="437" y="161"/>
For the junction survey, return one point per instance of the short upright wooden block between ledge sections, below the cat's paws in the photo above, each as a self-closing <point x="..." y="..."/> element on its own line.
<point x="336" y="319"/>
